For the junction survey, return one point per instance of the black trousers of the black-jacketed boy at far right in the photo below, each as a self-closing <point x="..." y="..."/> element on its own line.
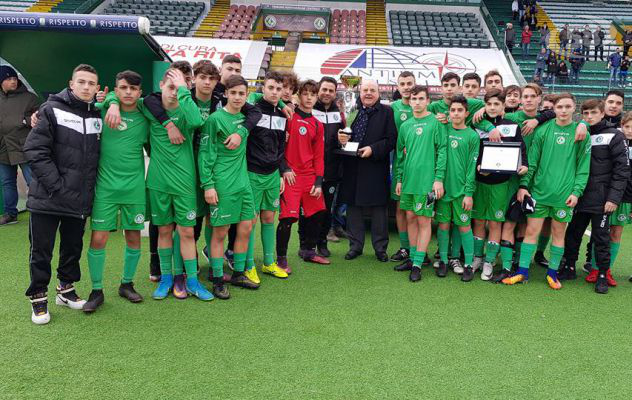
<point x="600" y="237"/>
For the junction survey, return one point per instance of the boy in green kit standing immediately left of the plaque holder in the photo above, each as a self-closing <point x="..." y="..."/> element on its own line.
<point x="455" y="207"/>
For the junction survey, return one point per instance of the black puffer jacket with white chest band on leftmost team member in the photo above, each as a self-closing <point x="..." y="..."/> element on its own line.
<point x="63" y="151"/>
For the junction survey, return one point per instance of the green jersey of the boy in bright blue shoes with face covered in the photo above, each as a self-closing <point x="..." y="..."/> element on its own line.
<point x="172" y="166"/>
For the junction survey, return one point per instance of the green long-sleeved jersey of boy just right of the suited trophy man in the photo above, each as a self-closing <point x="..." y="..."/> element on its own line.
<point x="421" y="149"/>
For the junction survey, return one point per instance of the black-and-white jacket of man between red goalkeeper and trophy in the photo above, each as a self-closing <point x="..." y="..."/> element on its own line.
<point x="333" y="120"/>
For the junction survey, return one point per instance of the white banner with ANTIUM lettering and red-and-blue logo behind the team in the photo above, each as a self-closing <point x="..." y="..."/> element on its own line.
<point x="384" y="64"/>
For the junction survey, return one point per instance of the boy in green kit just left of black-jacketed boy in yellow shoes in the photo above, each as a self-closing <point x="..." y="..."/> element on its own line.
<point x="224" y="178"/>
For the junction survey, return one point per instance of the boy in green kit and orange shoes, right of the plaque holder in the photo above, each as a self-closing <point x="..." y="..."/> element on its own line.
<point x="558" y="172"/>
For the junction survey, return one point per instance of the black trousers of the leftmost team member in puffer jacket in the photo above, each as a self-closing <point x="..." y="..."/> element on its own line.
<point x="42" y="233"/>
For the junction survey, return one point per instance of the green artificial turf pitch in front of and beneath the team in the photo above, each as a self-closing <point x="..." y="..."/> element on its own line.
<point x="352" y="330"/>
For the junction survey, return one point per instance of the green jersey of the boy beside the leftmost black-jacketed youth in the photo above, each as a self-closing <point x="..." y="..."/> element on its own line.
<point x="121" y="174"/>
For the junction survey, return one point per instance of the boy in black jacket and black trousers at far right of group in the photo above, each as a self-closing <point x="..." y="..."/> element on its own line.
<point x="609" y="173"/>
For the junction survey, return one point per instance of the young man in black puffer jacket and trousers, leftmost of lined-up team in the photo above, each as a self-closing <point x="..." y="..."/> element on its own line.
<point x="63" y="151"/>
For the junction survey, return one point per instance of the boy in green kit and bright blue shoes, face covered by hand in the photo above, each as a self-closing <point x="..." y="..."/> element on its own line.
<point x="171" y="180"/>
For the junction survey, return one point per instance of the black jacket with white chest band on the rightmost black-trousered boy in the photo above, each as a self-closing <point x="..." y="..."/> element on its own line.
<point x="609" y="169"/>
